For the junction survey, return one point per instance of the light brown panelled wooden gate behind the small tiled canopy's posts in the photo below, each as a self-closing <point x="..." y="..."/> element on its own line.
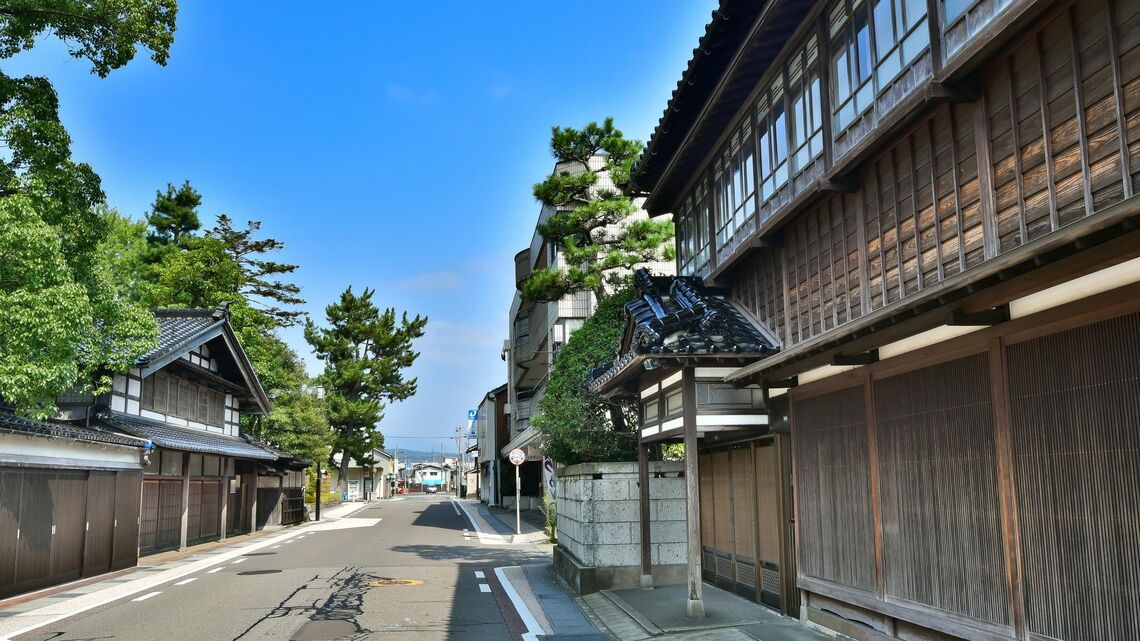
<point x="743" y="522"/>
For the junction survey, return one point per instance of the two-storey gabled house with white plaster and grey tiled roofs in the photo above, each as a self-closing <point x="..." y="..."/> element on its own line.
<point x="186" y="397"/>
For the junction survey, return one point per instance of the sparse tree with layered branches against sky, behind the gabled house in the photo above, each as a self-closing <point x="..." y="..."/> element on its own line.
<point x="259" y="288"/>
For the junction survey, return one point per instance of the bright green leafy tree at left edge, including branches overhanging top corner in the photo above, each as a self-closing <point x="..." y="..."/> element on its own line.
<point x="67" y="320"/>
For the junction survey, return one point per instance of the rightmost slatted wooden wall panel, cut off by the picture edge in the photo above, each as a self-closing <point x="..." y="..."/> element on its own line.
<point x="1076" y="401"/>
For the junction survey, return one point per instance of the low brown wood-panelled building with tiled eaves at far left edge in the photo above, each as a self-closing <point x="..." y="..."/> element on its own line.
<point x="69" y="501"/>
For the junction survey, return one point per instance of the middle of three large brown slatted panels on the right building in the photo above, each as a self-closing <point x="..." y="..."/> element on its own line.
<point x="942" y="540"/>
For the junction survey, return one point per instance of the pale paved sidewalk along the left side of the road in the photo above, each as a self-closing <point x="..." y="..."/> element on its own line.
<point x="27" y="612"/>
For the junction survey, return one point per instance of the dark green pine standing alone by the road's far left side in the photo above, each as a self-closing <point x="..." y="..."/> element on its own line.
<point x="367" y="353"/>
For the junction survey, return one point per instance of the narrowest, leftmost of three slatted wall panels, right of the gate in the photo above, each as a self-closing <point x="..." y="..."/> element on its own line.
<point x="834" y="486"/>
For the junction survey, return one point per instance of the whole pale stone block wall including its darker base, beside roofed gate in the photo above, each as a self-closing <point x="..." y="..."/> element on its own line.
<point x="600" y="525"/>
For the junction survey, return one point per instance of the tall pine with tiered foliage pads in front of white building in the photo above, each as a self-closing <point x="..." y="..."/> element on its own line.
<point x="591" y="224"/>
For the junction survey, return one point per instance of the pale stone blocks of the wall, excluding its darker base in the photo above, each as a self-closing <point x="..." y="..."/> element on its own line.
<point x="600" y="520"/>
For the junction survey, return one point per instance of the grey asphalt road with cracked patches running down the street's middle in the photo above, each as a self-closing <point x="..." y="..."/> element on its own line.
<point x="331" y="585"/>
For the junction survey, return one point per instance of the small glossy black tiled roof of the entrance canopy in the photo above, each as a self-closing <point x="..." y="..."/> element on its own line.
<point x="681" y="319"/>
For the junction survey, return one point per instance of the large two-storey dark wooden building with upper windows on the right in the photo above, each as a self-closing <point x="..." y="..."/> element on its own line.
<point x="932" y="206"/>
